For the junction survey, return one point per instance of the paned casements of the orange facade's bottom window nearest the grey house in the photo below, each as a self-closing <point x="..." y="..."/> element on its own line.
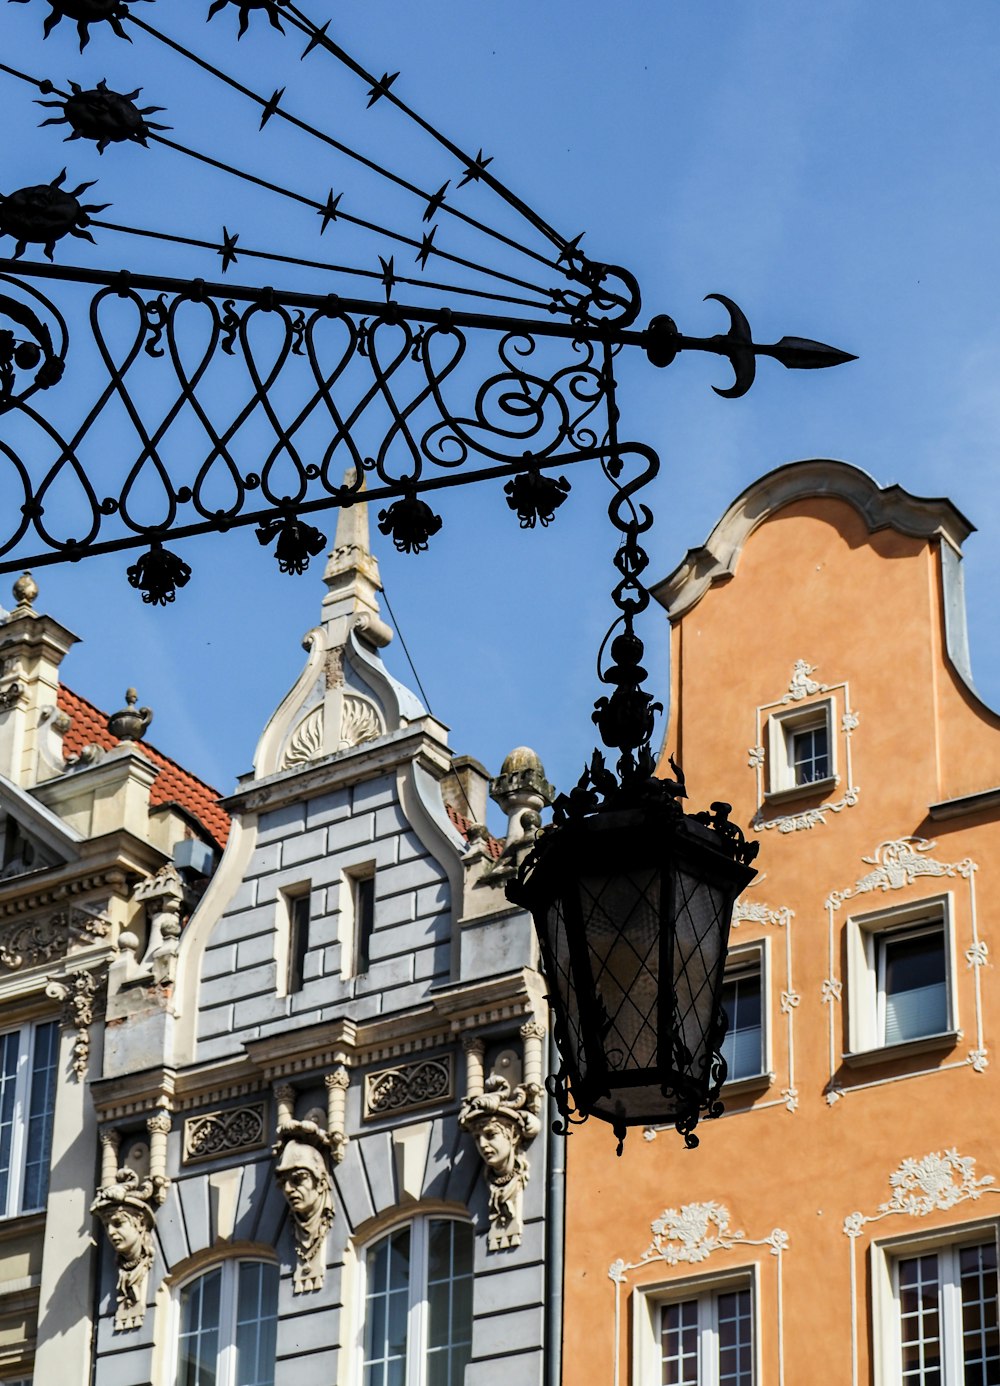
<point x="708" y="1341"/>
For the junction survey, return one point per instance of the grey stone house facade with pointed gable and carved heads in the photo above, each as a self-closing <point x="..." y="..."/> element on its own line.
<point x="287" y="1032"/>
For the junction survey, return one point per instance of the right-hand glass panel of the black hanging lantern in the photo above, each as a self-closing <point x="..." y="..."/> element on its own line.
<point x="702" y="915"/>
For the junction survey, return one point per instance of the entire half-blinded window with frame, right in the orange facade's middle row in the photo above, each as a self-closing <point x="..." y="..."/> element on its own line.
<point x="901" y="976"/>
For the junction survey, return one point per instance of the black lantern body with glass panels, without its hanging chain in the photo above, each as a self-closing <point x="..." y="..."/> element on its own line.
<point x="632" y="909"/>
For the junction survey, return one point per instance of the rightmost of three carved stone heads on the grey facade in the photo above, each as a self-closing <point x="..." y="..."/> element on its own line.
<point x="503" y="1121"/>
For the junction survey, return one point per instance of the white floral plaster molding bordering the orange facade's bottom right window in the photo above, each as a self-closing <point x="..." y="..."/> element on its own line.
<point x="919" y="1187"/>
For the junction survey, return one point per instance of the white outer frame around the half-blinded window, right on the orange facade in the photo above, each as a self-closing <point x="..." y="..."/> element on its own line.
<point x="866" y="996"/>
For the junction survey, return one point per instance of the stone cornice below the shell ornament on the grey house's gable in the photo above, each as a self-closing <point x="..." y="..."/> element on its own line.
<point x="346" y="769"/>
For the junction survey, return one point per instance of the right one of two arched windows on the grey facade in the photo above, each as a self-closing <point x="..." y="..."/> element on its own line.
<point x="419" y="1305"/>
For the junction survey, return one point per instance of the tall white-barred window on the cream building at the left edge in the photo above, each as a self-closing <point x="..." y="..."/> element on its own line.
<point x="28" y="1072"/>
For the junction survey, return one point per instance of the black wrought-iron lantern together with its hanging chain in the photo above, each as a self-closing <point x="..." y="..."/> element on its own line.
<point x="632" y="902"/>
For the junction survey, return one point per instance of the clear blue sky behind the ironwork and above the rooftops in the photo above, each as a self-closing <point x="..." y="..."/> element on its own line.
<point x="832" y="168"/>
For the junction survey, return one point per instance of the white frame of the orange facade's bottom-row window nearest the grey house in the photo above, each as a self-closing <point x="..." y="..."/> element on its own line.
<point x="649" y="1301"/>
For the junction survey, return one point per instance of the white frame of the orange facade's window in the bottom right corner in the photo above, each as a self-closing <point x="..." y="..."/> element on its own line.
<point x="886" y="1317"/>
